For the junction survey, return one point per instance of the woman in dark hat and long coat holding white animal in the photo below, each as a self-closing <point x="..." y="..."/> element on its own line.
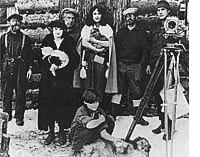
<point x="57" y="80"/>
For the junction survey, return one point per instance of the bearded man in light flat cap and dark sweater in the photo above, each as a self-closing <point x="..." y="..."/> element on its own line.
<point x="132" y="54"/>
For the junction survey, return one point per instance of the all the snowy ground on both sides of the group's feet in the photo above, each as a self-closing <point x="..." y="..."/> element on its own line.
<point x="27" y="141"/>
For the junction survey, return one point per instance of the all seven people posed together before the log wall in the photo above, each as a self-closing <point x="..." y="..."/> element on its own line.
<point x="92" y="59"/>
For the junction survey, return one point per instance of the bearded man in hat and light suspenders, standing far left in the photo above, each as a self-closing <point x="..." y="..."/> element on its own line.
<point x="16" y="67"/>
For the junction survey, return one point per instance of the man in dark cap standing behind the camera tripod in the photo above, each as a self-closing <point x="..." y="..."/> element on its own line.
<point x="158" y="42"/>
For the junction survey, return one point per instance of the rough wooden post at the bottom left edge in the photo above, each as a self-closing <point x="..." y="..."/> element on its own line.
<point x="4" y="138"/>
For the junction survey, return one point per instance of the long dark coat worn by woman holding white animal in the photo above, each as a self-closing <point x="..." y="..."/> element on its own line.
<point x="55" y="91"/>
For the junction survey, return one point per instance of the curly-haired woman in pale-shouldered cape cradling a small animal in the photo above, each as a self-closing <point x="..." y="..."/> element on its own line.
<point x="98" y="53"/>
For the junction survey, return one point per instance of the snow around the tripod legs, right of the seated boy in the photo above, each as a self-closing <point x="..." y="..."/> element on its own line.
<point x="181" y="137"/>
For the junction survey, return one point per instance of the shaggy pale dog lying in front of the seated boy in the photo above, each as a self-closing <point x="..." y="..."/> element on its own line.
<point x="102" y="148"/>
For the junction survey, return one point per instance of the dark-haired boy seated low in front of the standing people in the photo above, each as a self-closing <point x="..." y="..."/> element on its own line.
<point x="91" y="123"/>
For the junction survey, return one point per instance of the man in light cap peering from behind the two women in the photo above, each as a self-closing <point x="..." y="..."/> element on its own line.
<point x="70" y="17"/>
